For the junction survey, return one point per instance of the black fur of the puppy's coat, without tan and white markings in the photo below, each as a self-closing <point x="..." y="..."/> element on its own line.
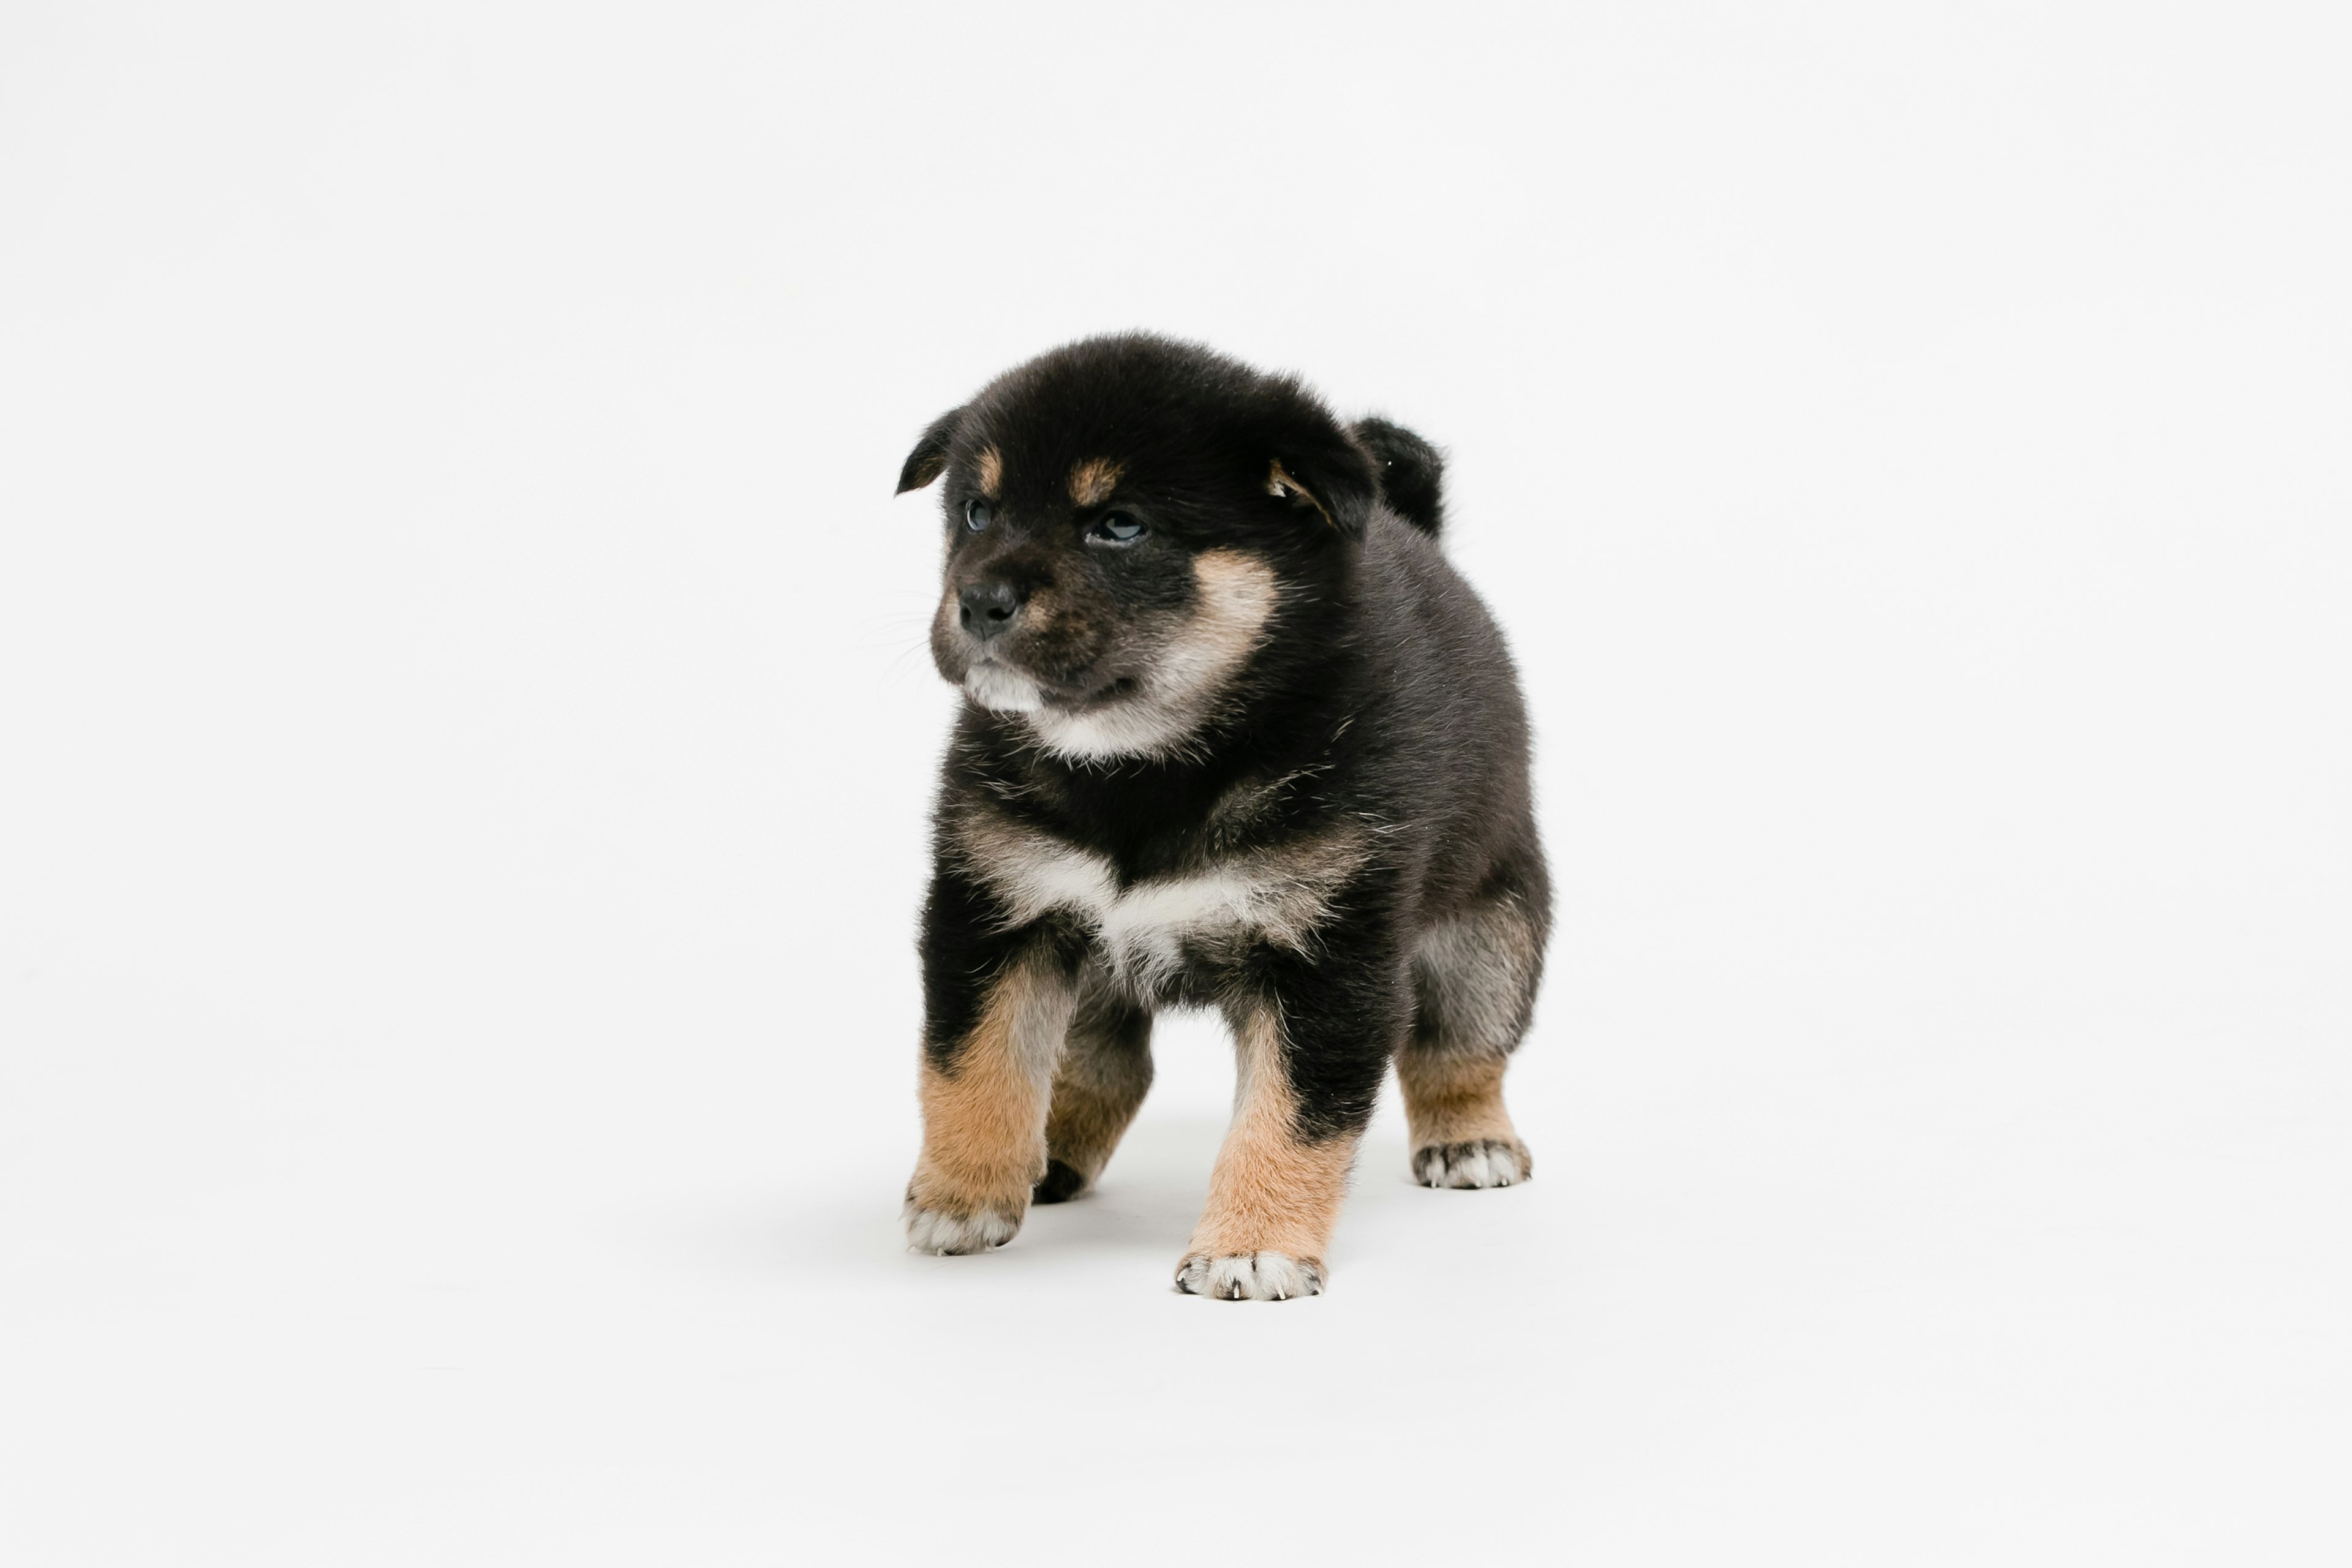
<point x="1377" y="704"/>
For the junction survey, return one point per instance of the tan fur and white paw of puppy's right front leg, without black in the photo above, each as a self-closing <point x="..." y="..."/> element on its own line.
<point x="1271" y="1193"/>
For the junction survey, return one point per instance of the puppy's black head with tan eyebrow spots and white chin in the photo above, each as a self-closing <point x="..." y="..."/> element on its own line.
<point x="1125" y="523"/>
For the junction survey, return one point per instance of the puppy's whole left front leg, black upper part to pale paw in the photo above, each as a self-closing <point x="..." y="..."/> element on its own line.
<point x="991" y="1040"/>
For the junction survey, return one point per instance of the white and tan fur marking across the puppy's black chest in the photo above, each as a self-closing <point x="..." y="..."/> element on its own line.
<point x="1149" y="930"/>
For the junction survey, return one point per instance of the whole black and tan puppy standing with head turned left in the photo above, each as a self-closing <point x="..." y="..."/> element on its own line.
<point x="1236" y="737"/>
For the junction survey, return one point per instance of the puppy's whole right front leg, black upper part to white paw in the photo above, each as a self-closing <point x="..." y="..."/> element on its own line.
<point x="1304" y="1097"/>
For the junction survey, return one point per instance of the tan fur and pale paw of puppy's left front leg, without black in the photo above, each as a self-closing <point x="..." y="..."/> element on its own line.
<point x="984" y="1118"/>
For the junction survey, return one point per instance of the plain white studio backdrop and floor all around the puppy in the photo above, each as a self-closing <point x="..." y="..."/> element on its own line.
<point x="467" y="749"/>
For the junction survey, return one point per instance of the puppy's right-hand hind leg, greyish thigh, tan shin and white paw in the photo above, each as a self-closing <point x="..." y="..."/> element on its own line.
<point x="1474" y="989"/>
